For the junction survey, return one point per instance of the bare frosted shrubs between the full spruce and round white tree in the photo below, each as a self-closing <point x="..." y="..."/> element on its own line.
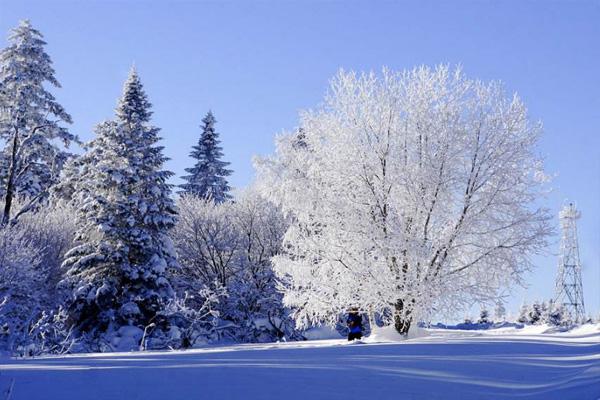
<point x="229" y="246"/>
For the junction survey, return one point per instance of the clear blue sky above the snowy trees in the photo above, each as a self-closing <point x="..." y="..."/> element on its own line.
<point x="256" y="64"/>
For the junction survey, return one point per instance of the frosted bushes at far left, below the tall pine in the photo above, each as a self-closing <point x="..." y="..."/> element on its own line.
<point x="31" y="252"/>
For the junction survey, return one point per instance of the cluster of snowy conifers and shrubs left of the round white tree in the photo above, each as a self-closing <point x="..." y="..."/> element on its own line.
<point x="96" y="254"/>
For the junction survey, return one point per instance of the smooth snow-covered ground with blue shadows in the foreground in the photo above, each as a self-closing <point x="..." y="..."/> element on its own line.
<point x="438" y="364"/>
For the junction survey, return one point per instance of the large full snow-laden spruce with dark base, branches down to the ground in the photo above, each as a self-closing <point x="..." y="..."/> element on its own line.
<point x="118" y="272"/>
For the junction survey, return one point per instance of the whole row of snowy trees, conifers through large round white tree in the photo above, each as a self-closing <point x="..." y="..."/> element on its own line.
<point x="406" y="195"/>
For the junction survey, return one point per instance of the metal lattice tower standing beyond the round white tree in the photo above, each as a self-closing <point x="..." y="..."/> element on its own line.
<point x="569" y="290"/>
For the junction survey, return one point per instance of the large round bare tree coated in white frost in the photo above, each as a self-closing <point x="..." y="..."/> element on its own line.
<point x="413" y="195"/>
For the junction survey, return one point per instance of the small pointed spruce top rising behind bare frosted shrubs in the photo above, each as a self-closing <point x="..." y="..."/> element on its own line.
<point x="207" y="178"/>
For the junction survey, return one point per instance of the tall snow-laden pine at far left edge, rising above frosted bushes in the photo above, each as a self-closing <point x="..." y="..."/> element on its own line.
<point x="30" y="120"/>
